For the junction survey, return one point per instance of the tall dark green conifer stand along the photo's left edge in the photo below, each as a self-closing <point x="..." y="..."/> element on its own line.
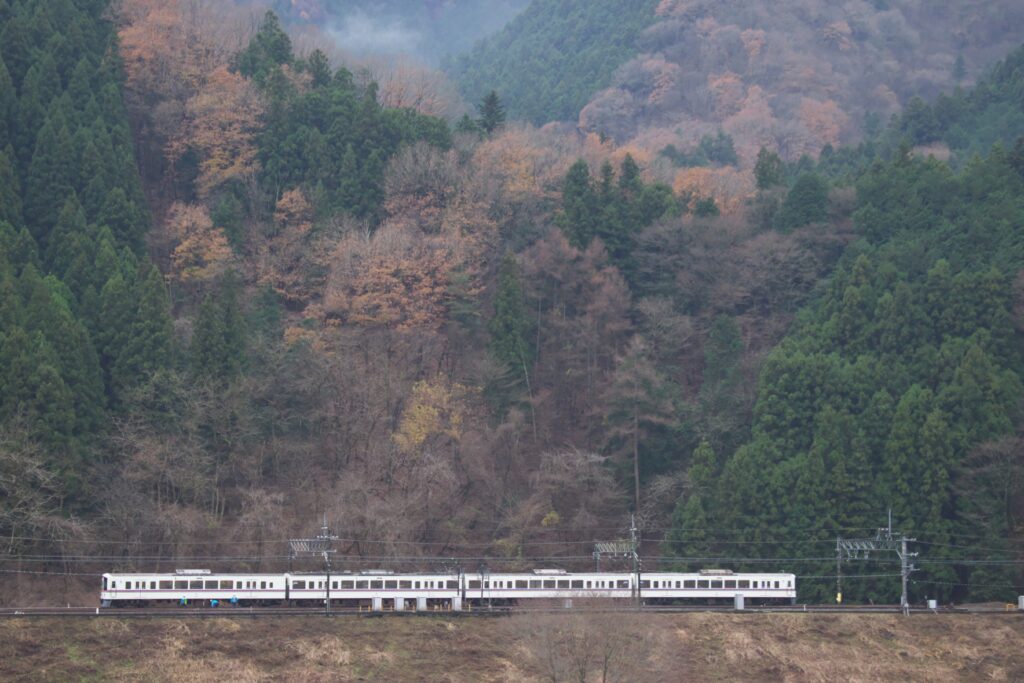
<point x="77" y="328"/>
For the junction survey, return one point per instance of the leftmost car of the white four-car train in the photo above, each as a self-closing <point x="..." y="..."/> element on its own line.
<point x="198" y="588"/>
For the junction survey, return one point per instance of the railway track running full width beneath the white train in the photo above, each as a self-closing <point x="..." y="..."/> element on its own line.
<point x="278" y="613"/>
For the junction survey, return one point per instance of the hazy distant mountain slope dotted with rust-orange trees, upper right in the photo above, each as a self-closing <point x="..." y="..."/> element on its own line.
<point x="795" y="75"/>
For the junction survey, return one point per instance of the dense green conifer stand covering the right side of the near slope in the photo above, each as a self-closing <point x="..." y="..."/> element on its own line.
<point x="891" y="381"/>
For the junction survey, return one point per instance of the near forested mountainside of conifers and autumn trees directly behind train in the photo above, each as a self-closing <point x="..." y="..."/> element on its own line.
<point x="245" y="285"/>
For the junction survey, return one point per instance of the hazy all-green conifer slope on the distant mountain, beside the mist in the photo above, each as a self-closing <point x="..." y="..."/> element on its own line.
<point x="554" y="57"/>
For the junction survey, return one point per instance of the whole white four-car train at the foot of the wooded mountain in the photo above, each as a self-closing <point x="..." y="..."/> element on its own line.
<point x="383" y="591"/>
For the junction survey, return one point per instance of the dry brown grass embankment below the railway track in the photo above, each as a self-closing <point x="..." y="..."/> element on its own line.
<point x="658" y="648"/>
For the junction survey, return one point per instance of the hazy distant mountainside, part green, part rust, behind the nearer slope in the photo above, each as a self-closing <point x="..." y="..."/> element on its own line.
<point x="794" y="75"/>
